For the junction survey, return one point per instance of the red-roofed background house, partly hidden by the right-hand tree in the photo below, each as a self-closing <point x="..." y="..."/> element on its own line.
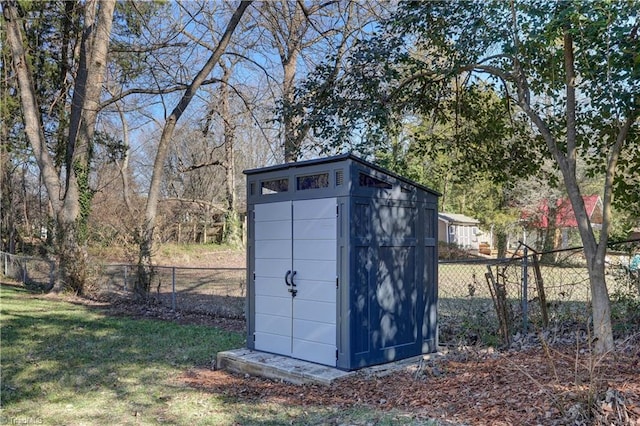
<point x="558" y="220"/>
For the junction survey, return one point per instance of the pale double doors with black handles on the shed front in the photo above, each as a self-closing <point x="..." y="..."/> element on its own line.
<point x="295" y="279"/>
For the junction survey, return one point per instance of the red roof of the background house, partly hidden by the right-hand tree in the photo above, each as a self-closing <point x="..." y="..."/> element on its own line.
<point x="564" y="215"/>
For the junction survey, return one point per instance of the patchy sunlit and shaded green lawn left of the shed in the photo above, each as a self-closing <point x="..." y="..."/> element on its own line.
<point x="66" y="364"/>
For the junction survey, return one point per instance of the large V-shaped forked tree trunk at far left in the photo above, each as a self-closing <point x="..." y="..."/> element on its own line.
<point x="75" y="201"/>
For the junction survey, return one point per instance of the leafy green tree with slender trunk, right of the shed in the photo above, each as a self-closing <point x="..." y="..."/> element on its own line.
<point x="571" y="68"/>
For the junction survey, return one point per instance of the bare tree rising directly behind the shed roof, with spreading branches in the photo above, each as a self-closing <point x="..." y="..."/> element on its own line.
<point x="303" y="35"/>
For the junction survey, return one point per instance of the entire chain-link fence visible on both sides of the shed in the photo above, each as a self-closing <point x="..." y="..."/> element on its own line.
<point x="480" y="301"/>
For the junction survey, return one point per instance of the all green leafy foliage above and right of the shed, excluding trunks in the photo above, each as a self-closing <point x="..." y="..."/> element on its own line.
<point x="450" y="78"/>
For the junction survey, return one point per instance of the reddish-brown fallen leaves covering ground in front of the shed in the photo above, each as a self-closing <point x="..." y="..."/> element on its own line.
<point x="502" y="389"/>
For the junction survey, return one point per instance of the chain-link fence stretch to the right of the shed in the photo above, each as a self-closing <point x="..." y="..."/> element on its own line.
<point x="490" y="301"/>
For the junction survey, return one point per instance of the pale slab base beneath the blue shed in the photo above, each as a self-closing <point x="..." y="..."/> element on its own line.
<point x="296" y="371"/>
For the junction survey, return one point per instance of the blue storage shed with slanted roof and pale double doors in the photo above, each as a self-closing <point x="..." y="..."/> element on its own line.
<point x="341" y="263"/>
